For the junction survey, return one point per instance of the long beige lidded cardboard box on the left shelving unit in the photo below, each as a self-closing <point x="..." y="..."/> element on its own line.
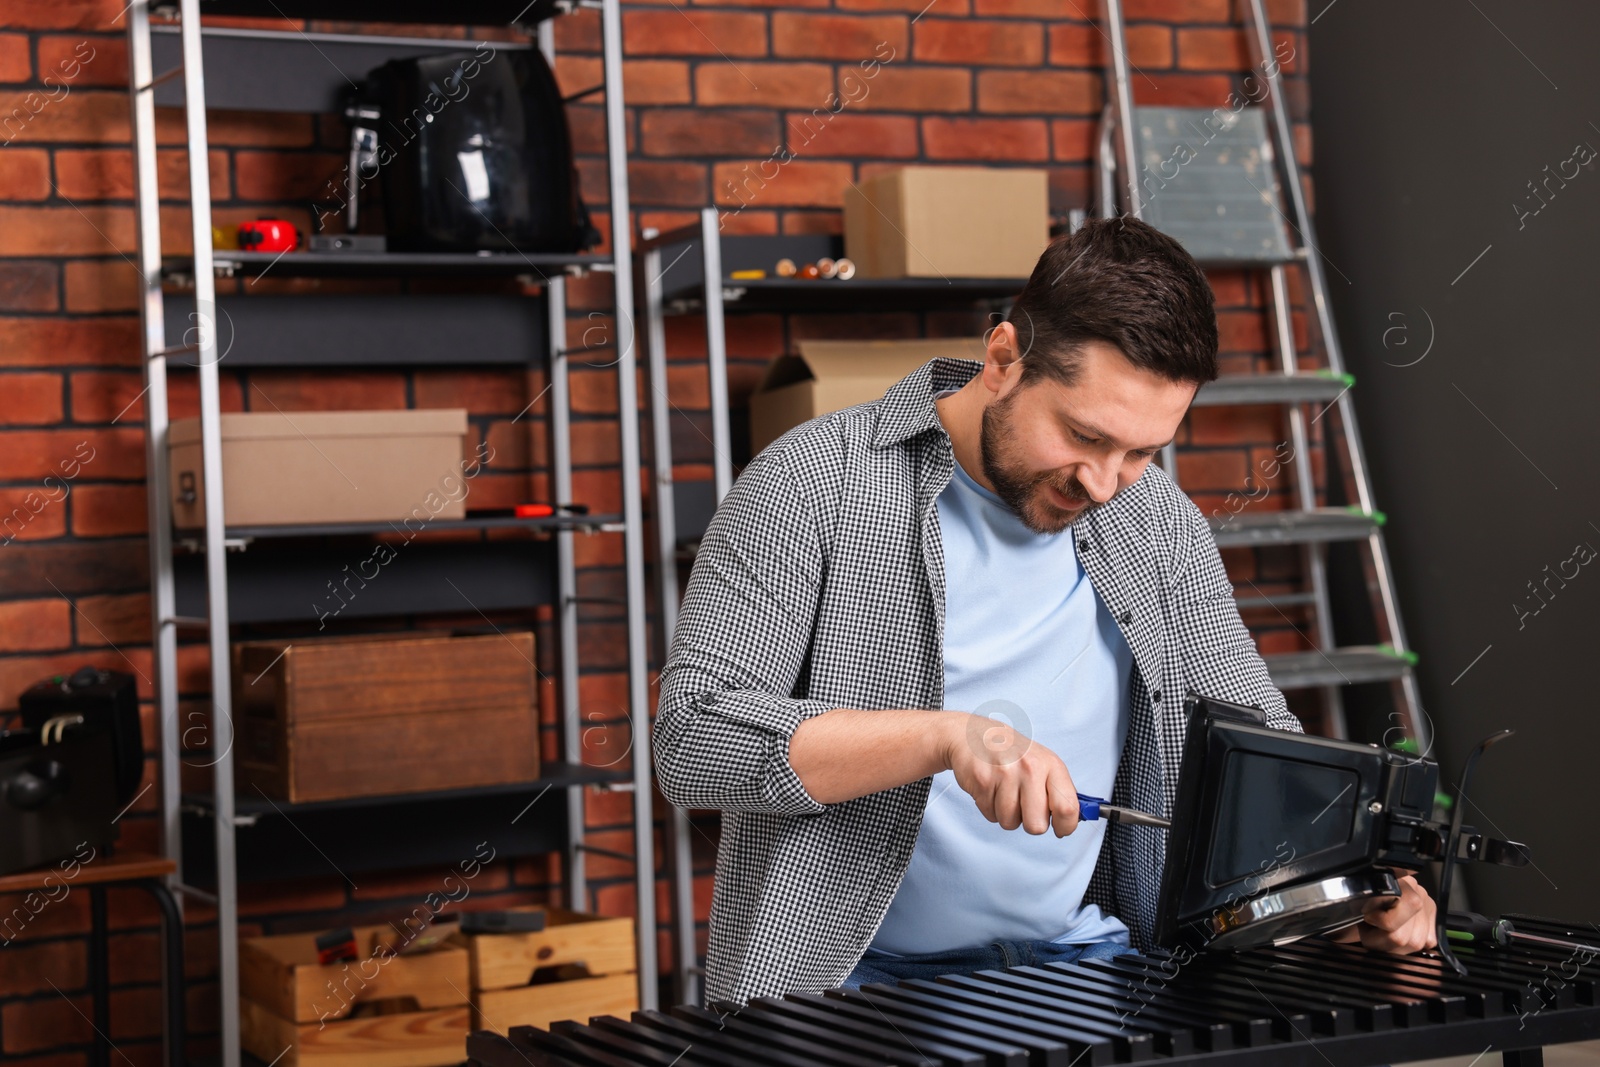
<point x="326" y="468"/>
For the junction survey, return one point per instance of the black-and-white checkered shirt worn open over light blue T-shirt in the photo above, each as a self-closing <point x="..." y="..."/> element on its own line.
<point x="820" y="585"/>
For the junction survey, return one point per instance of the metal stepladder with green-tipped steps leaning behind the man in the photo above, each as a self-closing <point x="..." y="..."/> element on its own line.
<point x="1225" y="182"/>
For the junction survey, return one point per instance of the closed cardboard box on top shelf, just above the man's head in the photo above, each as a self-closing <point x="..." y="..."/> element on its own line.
<point x="948" y="222"/>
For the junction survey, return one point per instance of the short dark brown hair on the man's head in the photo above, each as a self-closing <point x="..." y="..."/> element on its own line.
<point x="1122" y="282"/>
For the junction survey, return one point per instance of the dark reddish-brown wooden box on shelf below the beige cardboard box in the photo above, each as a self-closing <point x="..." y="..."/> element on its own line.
<point x="362" y="717"/>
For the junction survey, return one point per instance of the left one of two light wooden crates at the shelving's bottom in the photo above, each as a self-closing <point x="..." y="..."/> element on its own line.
<point x="302" y="1013"/>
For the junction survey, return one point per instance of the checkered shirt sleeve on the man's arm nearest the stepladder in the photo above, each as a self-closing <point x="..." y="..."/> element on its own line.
<point x="1220" y="655"/>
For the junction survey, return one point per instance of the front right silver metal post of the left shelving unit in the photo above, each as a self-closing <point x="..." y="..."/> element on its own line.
<point x="633" y="506"/>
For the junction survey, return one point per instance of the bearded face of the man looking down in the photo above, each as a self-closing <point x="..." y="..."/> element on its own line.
<point x="1057" y="452"/>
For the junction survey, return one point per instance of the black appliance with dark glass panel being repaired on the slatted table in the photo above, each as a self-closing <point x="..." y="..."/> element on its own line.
<point x="1278" y="836"/>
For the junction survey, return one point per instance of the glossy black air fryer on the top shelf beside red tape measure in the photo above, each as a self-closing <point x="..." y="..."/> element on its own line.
<point x="474" y="154"/>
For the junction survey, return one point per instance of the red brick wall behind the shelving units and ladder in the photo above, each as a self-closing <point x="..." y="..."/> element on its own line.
<point x="714" y="89"/>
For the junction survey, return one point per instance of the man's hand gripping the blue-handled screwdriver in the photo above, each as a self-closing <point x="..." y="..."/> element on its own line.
<point x="1015" y="781"/>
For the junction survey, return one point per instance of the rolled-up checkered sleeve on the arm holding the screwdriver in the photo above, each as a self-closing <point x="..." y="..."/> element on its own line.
<point x="727" y="703"/>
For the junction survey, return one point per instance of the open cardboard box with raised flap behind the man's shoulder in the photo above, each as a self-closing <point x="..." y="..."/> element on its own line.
<point x="833" y="375"/>
